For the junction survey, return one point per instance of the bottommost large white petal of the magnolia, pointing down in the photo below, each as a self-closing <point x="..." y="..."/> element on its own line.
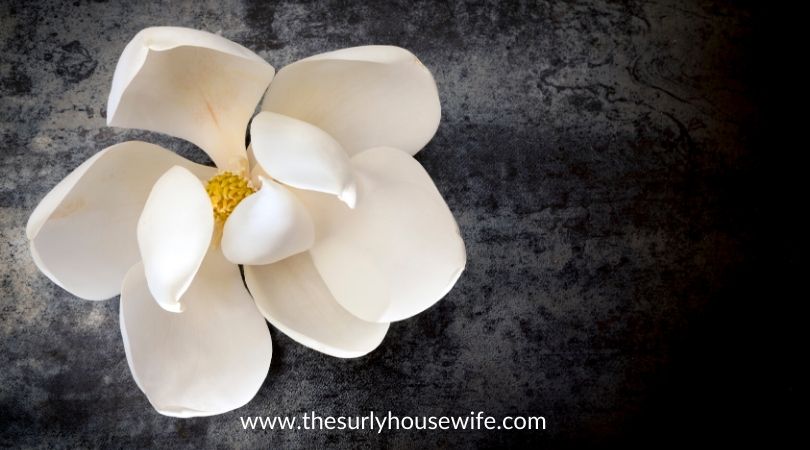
<point x="211" y="358"/>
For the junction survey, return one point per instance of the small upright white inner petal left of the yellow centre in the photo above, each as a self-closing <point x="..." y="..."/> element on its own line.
<point x="174" y="232"/>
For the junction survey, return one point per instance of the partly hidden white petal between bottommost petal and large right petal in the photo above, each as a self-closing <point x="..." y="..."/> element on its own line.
<point x="294" y="298"/>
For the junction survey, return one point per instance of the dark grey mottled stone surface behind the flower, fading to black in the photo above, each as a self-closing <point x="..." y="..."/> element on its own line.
<point x="601" y="159"/>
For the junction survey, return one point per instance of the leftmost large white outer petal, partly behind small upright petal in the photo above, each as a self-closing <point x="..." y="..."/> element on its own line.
<point x="83" y="233"/>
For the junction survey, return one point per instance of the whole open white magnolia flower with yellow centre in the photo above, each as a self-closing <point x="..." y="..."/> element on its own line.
<point x="338" y="229"/>
